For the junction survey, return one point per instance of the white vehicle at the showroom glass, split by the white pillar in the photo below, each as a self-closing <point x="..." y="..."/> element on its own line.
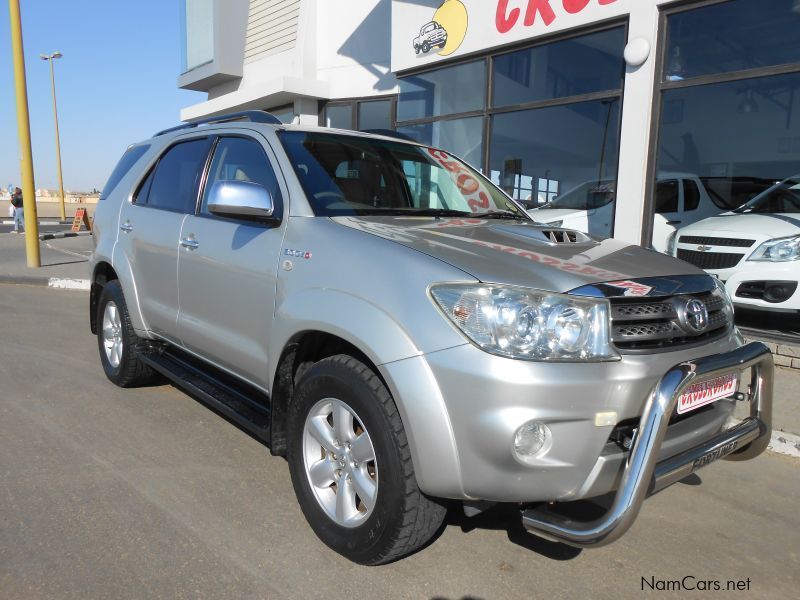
<point x="680" y="198"/>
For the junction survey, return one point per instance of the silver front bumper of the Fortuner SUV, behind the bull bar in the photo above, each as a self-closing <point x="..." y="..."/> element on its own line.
<point x="461" y="408"/>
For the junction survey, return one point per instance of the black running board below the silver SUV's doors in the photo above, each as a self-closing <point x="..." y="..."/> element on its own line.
<point x="238" y="401"/>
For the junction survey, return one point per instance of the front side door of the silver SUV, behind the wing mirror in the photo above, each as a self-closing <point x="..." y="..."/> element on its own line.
<point x="227" y="270"/>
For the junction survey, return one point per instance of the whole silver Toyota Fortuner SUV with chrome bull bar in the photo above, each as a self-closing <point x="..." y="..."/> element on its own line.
<point x="405" y="334"/>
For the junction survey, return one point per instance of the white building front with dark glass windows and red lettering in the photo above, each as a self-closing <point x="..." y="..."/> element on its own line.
<point x="642" y="116"/>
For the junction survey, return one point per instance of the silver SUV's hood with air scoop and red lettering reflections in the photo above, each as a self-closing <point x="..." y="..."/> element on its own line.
<point x="519" y="252"/>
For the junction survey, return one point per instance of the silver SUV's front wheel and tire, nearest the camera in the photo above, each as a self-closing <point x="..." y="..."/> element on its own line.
<point x="393" y="518"/>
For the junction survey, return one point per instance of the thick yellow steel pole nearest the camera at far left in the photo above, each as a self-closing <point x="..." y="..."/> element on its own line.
<point x="24" y="132"/>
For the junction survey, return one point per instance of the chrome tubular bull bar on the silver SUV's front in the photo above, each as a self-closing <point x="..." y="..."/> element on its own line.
<point x="643" y="475"/>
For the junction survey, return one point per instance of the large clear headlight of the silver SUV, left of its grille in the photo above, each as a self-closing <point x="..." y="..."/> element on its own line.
<point x="522" y="323"/>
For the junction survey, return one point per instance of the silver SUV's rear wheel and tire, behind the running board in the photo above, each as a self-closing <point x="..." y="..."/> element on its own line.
<point x="116" y="340"/>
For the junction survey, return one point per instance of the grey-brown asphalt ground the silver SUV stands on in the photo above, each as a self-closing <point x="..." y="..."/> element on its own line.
<point x="110" y="493"/>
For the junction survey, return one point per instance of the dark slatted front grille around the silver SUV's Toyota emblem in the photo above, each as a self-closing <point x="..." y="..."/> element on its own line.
<point x="639" y="325"/>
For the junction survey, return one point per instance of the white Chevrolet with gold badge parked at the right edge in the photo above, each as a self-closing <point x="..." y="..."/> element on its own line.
<point x="754" y="250"/>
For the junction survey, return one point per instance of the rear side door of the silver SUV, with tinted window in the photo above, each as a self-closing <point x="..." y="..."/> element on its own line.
<point x="150" y="229"/>
